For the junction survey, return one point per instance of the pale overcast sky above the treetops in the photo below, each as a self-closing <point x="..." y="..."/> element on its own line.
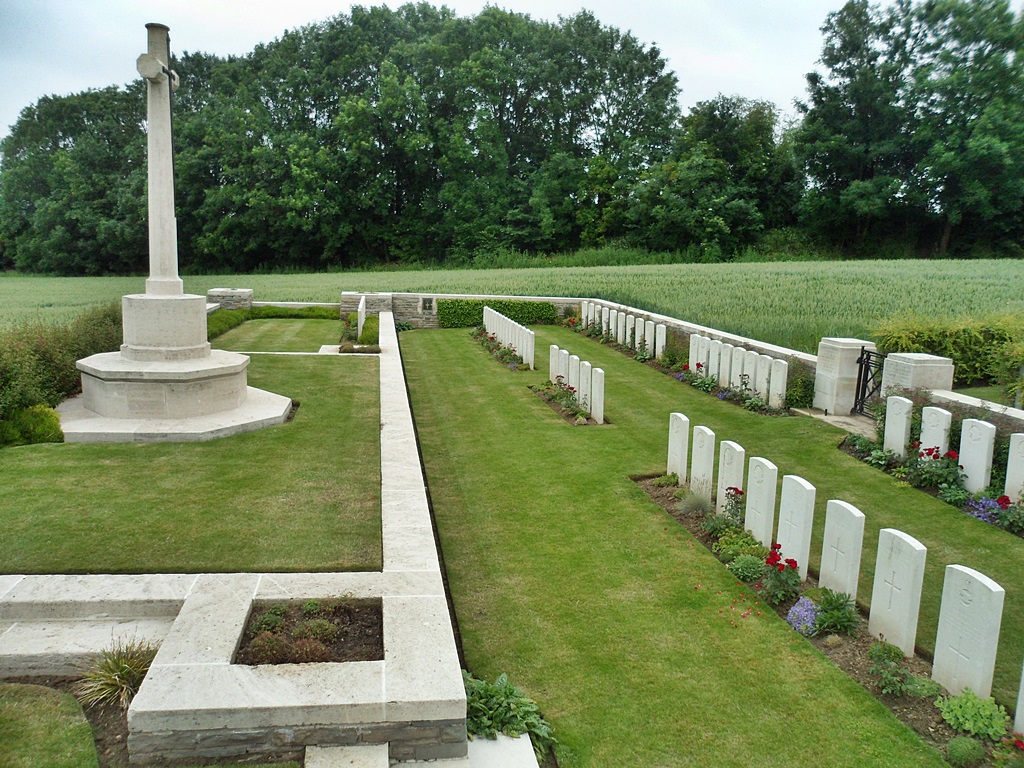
<point x="752" y="49"/>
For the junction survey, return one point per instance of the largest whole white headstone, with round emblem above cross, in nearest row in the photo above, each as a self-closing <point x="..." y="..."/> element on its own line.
<point x="969" y="631"/>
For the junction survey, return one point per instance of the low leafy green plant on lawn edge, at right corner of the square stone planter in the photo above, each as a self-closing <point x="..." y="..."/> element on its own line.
<point x="501" y="708"/>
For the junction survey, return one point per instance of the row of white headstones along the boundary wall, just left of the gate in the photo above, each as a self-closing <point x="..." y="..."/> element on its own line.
<point x="736" y="367"/>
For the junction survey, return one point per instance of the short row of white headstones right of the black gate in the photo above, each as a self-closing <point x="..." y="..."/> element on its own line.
<point x="976" y="448"/>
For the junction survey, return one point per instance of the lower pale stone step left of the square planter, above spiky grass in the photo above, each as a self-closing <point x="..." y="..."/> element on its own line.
<point x="65" y="647"/>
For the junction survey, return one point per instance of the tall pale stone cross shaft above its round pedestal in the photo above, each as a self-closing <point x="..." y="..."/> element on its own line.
<point x="161" y="81"/>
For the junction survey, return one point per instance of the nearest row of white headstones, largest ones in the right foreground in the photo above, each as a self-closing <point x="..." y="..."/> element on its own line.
<point x="971" y="611"/>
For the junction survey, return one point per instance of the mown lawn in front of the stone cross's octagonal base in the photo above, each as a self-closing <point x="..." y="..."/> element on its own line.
<point x="301" y="497"/>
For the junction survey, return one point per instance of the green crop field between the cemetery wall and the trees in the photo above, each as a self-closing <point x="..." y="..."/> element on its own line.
<point x="789" y="304"/>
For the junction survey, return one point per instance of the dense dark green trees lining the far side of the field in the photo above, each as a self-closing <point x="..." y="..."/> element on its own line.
<point x="417" y="137"/>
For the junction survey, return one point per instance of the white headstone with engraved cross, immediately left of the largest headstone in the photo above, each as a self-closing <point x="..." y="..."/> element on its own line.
<point x="900" y="574"/>
